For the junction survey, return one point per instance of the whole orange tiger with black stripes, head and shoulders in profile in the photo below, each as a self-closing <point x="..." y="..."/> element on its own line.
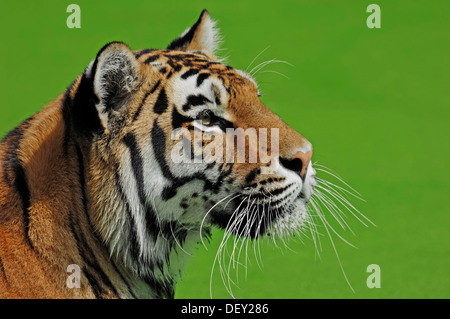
<point x="90" y="180"/>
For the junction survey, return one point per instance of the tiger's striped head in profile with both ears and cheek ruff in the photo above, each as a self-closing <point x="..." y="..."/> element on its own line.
<point x="155" y="129"/>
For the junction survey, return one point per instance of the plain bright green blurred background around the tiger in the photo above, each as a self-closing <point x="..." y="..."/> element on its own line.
<point x="374" y="103"/>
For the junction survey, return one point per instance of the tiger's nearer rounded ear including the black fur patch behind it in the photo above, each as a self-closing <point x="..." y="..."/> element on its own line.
<point x="105" y="89"/>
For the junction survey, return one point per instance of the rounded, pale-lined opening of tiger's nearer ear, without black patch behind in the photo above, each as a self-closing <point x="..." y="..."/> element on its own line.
<point x="115" y="75"/>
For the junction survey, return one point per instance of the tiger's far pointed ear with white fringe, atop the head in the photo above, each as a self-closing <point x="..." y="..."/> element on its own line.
<point x="202" y="36"/>
